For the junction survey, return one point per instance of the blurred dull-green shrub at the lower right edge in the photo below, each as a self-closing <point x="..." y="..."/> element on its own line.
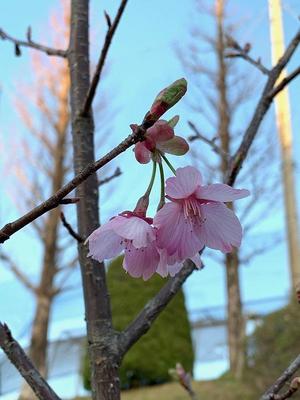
<point x="274" y="345"/>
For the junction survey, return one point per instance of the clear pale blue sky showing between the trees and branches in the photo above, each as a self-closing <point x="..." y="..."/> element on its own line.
<point x="142" y="60"/>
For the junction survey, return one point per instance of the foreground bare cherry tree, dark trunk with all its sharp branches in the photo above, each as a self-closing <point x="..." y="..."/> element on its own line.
<point x="106" y="346"/>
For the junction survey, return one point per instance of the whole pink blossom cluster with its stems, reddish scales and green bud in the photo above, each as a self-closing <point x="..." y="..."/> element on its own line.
<point x="193" y="217"/>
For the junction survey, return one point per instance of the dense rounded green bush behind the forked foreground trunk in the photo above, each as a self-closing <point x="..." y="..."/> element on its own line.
<point x="167" y="342"/>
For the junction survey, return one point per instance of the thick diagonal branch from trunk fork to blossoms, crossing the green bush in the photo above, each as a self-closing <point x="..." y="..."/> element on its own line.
<point x="144" y="320"/>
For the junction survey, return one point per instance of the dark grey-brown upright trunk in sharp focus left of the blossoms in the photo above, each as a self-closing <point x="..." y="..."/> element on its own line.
<point x="102" y="340"/>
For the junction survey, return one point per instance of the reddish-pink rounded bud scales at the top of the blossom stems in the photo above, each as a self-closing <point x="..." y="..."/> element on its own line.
<point x="161" y="137"/>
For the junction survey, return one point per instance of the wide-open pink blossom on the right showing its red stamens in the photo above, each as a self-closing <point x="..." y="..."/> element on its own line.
<point x="197" y="216"/>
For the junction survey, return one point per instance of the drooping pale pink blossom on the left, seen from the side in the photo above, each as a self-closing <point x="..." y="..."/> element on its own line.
<point x="133" y="234"/>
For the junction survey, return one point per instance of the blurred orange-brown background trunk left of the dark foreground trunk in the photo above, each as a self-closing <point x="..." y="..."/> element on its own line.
<point x="45" y="290"/>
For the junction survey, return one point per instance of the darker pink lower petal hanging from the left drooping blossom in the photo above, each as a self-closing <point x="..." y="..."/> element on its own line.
<point x="141" y="262"/>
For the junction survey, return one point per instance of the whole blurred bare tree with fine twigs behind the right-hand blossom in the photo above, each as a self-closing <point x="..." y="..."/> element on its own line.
<point x="223" y="95"/>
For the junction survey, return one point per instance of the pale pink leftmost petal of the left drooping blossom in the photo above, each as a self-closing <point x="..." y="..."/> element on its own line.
<point x="104" y="243"/>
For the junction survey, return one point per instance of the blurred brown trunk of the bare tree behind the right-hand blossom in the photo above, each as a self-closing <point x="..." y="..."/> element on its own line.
<point x="235" y="323"/>
